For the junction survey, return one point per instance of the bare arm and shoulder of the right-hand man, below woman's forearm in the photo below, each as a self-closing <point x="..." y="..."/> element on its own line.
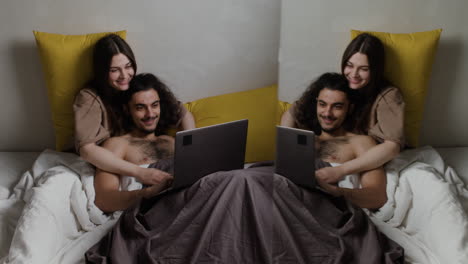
<point x="373" y="193"/>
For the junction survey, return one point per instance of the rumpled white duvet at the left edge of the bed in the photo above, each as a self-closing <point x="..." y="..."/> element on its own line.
<point x="50" y="217"/>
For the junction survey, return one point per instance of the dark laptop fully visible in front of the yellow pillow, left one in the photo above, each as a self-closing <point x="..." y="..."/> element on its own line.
<point x="201" y="151"/>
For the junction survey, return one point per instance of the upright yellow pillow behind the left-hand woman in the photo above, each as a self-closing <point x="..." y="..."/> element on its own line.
<point x="67" y="64"/>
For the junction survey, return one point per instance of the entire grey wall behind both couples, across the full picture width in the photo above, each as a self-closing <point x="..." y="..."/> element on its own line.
<point x="208" y="47"/>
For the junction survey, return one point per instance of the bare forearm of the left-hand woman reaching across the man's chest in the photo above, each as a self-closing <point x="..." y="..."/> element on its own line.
<point x="106" y="160"/>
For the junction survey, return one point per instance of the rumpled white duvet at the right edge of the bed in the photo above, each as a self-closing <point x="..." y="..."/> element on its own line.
<point x="426" y="208"/>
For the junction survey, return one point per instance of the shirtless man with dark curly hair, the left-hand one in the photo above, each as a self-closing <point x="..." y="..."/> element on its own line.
<point x="149" y="107"/>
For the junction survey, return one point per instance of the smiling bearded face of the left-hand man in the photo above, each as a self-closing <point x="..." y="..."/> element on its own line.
<point x="144" y="110"/>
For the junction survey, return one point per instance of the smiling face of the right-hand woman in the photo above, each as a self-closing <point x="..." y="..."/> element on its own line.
<point x="357" y="71"/>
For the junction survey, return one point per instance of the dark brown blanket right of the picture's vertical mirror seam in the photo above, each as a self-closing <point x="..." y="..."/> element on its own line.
<point x="314" y="227"/>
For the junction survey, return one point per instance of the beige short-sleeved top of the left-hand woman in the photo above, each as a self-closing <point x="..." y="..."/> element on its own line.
<point x="92" y="124"/>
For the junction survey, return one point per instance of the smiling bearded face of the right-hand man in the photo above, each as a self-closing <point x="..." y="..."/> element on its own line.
<point x="332" y="108"/>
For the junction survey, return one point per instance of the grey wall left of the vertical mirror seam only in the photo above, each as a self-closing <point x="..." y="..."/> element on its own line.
<point x="200" y="48"/>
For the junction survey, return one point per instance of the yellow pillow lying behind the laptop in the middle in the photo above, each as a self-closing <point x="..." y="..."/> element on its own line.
<point x="257" y="105"/>
